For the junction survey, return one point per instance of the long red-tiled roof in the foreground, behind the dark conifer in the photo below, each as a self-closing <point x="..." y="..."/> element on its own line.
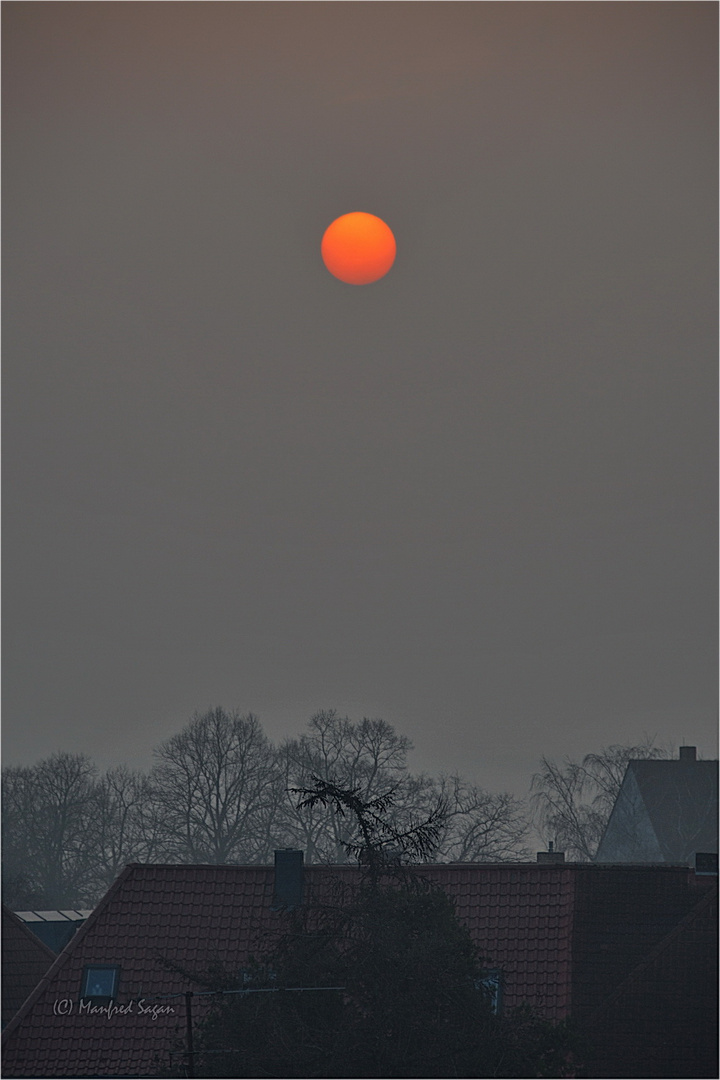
<point x="565" y="938"/>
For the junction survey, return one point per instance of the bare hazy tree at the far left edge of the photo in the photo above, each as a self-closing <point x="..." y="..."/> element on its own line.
<point x="50" y="832"/>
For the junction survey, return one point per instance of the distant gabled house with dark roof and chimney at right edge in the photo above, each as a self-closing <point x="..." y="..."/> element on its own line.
<point x="665" y="812"/>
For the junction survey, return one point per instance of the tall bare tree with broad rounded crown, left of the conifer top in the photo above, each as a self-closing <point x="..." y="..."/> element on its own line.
<point x="216" y="787"/>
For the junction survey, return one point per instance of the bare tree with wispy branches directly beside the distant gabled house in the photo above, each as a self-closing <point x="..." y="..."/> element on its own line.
<point x="574" y="801"/>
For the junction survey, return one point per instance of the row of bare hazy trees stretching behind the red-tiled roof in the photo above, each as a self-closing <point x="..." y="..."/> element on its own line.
<point x="222" y="792"/>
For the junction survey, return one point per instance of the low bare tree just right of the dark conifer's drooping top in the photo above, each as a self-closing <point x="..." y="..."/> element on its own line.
<point x="480" y="826"/>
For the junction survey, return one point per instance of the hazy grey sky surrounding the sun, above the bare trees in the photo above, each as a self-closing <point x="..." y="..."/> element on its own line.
<point x="478" y="498"/>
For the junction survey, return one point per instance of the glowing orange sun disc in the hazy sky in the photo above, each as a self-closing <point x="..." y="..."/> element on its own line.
<point x="359" y="249"/>
